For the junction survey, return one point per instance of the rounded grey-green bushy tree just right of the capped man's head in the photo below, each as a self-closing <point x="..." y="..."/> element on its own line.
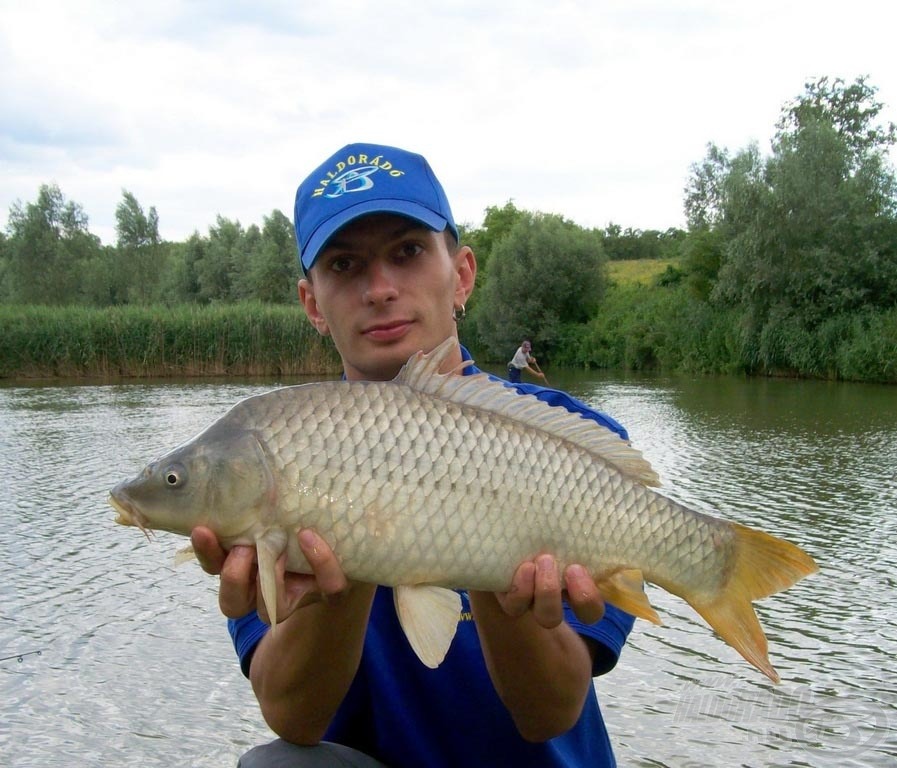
<point x="545" y="274"/>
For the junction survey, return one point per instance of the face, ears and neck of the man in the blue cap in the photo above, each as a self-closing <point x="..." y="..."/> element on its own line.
<point x="384" y="287"/>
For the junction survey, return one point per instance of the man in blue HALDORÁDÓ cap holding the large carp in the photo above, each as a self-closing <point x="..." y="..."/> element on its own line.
<point x="385" y="277"/>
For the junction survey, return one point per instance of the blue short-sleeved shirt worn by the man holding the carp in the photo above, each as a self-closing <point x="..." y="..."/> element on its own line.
<point x="404" y="714"/>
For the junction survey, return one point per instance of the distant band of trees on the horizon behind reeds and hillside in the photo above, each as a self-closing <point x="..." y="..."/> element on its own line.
<point x="49" y="256"/>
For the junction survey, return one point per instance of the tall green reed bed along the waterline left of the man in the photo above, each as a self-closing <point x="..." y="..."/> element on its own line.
<point x="246" y="339"/>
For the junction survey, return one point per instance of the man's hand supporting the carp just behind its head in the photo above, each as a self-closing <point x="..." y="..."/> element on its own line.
<point x="240" y="589"/>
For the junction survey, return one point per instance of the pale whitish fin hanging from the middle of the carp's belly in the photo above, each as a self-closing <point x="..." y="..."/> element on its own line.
<point x="429" y="617"/>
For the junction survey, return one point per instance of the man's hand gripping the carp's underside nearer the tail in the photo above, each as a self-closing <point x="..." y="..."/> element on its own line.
<point x="536" y="587"/>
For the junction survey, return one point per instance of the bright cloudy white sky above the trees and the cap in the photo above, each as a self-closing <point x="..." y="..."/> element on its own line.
<point x="592" y="109"/>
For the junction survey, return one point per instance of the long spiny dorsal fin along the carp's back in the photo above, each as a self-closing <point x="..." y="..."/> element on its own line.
<point x="421" y="373"/>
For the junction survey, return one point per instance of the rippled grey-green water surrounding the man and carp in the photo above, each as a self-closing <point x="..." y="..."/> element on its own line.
<point x="111" y="655"/>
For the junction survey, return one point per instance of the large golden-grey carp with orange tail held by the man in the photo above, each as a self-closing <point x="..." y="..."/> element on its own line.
<point x="434" y="481"/>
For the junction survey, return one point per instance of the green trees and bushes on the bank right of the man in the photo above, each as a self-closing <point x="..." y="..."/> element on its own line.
<point x="788" y="267"/>
